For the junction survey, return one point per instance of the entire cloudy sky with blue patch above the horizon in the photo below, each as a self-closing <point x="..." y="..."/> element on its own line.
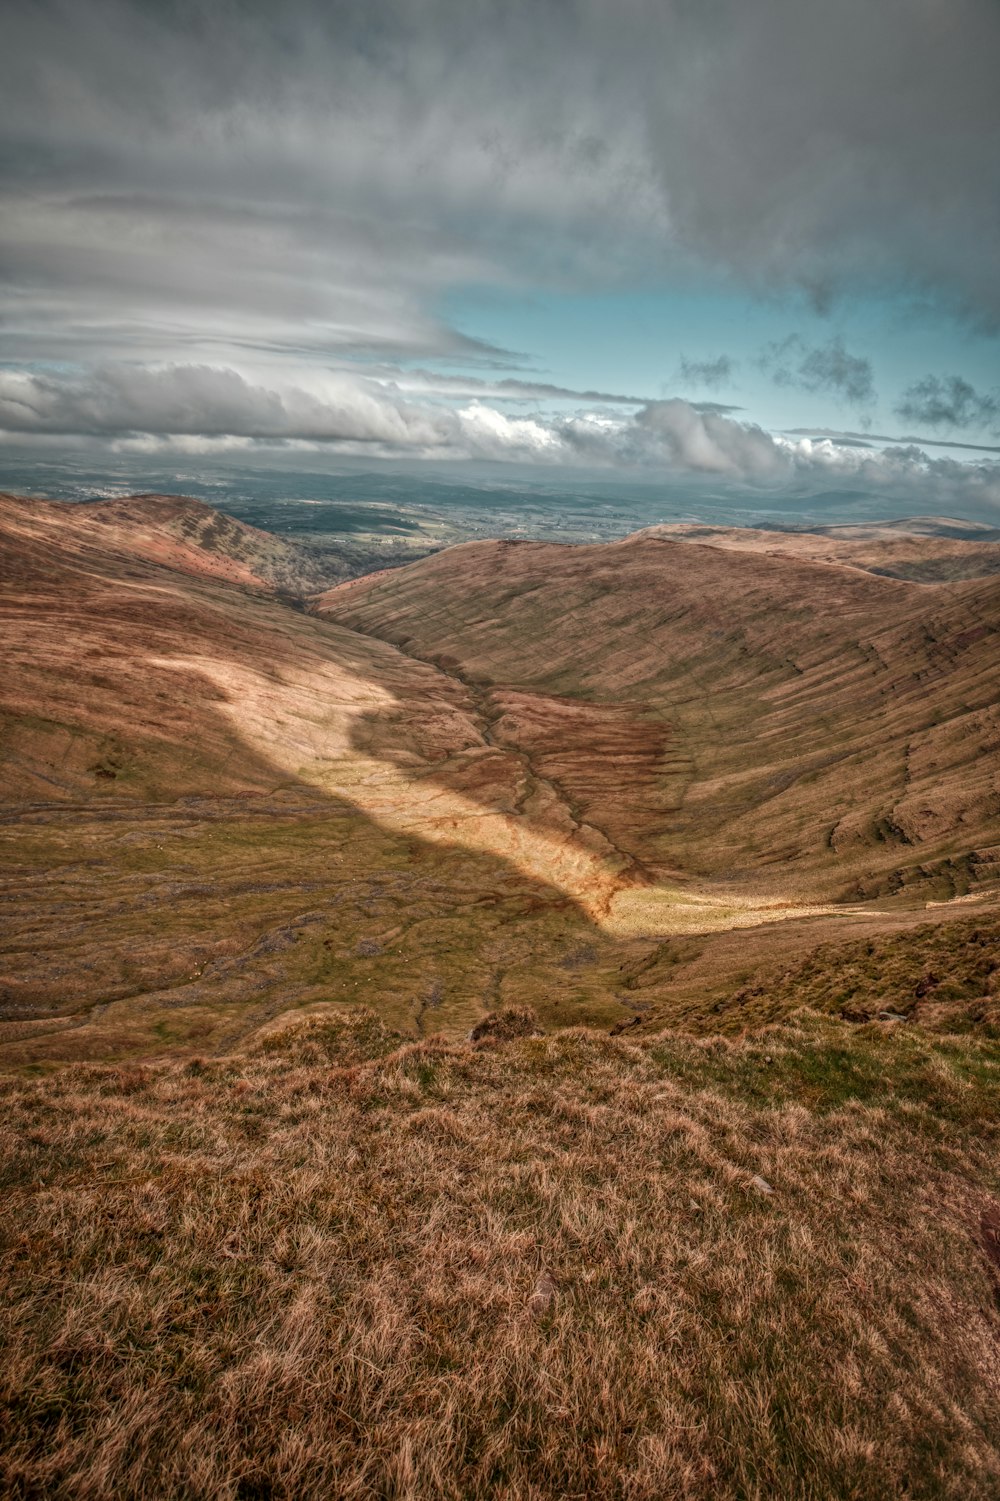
<point x="747" y="239"/>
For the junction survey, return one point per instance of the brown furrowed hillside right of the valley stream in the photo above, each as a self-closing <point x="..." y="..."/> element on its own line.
<point x="824" y="732"/>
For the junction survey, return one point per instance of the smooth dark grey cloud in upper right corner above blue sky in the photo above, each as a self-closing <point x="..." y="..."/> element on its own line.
<point x="836" y="148"/>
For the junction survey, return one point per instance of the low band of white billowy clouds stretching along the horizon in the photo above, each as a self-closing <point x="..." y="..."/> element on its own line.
<point x="215" y="411"/>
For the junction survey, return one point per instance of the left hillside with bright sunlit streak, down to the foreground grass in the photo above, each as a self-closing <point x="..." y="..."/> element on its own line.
<point x="202" y="826"/>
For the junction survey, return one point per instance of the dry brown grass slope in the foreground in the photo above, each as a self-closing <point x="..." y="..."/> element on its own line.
<point x="564" y="1266"/>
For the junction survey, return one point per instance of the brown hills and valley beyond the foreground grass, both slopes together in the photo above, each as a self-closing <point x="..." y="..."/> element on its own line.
<point x="510" y="774"/>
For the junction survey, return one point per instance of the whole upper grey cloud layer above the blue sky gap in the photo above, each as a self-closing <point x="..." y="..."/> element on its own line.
<point x="185" y="181"/>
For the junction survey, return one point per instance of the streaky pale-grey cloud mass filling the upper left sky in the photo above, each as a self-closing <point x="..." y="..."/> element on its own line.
<point x="208" y="175"/>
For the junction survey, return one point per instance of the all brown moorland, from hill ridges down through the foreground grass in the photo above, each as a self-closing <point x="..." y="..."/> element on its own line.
<point x="738" y="810"/>
